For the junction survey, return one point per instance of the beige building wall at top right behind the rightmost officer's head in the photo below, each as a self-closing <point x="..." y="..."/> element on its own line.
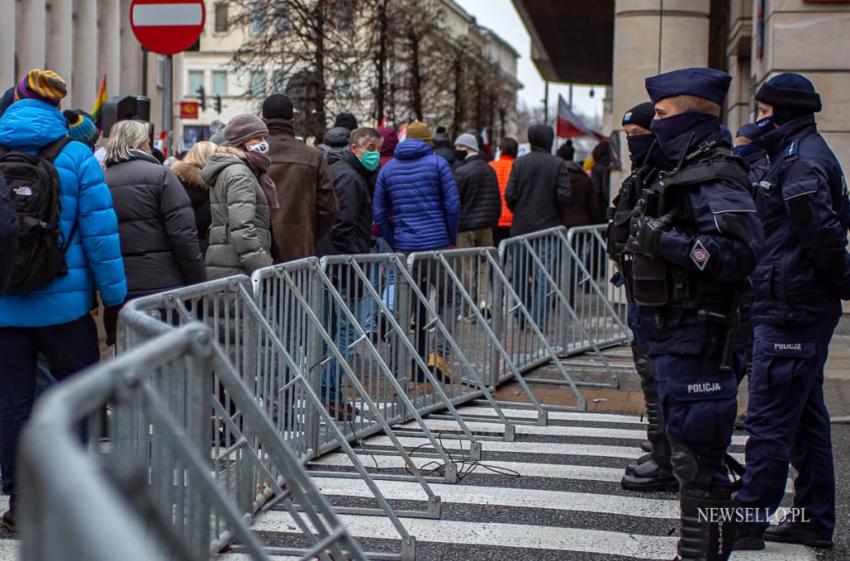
<point x="811" y="39"/>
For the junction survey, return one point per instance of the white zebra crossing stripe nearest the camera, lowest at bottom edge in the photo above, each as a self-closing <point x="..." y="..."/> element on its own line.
<point x="498" y="535"/>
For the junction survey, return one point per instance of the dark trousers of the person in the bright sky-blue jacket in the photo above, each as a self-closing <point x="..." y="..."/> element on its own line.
<point x="68" y="347"/>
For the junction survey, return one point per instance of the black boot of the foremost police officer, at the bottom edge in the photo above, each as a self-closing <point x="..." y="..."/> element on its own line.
<point x="707" y="526"/>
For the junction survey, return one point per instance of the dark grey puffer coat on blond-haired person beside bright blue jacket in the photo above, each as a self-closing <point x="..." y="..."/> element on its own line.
<point x="156" y="225"/>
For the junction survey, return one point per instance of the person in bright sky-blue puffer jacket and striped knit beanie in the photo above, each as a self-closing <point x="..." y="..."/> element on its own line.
<point x="54" y="320"/>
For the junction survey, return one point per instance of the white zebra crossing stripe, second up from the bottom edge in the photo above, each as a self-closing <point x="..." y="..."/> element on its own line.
<point x="509" y="497"/>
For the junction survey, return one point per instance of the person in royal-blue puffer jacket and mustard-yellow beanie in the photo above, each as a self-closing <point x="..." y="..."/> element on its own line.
<point x="417" y="208"/>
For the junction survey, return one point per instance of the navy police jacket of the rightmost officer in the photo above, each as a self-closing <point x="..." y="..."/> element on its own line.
<point x="803" y="270"/>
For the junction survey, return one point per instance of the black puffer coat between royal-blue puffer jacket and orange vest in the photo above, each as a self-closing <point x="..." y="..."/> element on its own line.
<point x="478" y="188"/>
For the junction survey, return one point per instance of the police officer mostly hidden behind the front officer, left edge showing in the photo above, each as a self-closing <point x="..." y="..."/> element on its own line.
<point x="652" y="471"/>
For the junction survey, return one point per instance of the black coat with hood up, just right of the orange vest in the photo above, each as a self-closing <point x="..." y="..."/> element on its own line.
<point x="538" y="185"/>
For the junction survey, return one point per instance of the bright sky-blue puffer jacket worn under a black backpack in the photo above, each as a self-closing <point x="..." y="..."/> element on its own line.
<point x="94" y="256"/>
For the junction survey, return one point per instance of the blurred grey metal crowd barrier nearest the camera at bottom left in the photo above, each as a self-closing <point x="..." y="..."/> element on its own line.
<point x="150" y="478"/>
